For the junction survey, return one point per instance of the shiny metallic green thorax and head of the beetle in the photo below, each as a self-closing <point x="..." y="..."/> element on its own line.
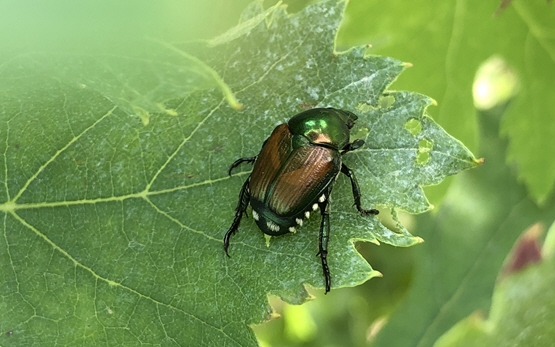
<point x="324" y="126"/>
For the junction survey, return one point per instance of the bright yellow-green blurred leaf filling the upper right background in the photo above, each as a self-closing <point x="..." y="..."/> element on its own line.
<point x="447" y="41"/>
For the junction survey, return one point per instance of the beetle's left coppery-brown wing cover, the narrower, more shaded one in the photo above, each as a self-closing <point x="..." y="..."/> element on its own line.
<point x="269" y="162"/>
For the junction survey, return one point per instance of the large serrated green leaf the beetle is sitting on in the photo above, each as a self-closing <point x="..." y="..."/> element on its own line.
<point x="114" y="191"/>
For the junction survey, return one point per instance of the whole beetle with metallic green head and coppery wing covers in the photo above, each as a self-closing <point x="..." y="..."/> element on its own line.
<point x="294" y="173"/>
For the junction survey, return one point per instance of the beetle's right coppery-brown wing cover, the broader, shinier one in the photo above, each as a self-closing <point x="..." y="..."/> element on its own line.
<point x="305" y="175"/>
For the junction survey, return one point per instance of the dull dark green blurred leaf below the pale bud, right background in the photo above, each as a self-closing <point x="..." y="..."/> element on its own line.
<point x="466" y="243"/>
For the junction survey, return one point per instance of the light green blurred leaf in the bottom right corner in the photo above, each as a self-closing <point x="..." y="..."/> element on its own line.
<point x="522" y="312"/>
